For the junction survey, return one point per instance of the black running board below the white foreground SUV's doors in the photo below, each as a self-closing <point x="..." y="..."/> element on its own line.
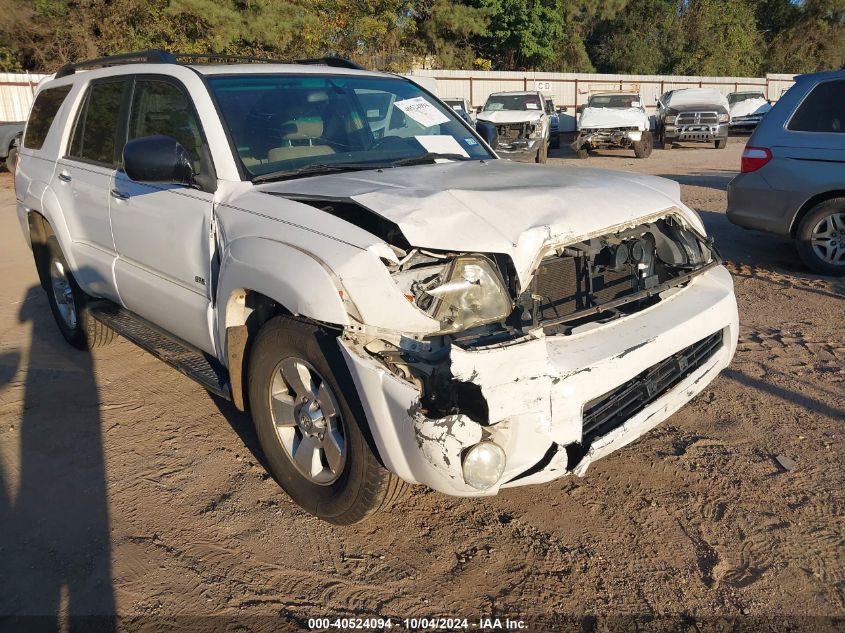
<point x="195" y="364"/>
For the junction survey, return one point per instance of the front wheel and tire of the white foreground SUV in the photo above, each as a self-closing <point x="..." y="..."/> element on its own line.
<point x="357" y="486"/>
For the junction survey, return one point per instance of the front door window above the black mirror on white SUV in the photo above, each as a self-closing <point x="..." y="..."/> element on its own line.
<point x="161" y="108"/>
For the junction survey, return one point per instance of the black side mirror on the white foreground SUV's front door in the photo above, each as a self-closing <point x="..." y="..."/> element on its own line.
<point x="158" y="159"/>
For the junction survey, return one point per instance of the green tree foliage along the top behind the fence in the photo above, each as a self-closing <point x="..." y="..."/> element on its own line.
<point x="709" y="37"/>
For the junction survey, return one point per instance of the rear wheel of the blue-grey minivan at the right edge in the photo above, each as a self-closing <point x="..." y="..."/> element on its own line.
<point x="824" y="224"/>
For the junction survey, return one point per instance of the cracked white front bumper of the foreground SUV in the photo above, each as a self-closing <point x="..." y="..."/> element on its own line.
<point x="536" y="390"/>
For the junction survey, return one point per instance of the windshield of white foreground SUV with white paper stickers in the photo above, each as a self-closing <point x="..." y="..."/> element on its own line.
<point x="285" y="123"/>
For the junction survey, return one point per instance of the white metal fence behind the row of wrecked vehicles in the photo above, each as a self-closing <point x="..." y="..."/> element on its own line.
<point x="573" y="89"/>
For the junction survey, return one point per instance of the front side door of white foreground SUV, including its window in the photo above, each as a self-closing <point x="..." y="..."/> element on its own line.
<point x="163" y="233"/>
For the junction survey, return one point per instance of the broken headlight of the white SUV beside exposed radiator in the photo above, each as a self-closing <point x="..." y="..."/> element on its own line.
<point x="472" y="294"/>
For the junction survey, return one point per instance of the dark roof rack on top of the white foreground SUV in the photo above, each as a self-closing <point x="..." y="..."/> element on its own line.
<point x="158" y="56"/>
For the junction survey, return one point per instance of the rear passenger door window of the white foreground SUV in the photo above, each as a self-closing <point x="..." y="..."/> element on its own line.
<point x="95" y="134"/>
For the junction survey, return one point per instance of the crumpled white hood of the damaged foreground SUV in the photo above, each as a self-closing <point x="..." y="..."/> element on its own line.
<point x="495" y="206"/>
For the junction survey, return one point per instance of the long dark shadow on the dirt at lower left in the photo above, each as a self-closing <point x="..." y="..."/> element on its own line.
<point x="55" y="562"/>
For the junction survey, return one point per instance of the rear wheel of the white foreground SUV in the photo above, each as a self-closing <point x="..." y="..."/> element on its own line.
<point x="68" y="302"/>
